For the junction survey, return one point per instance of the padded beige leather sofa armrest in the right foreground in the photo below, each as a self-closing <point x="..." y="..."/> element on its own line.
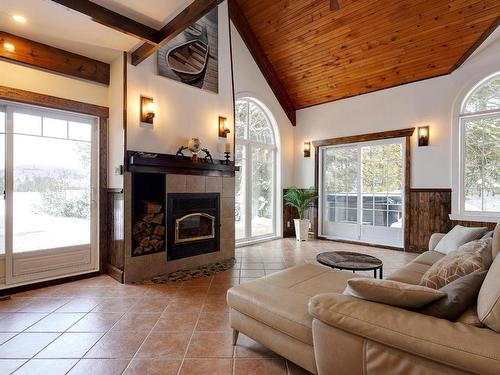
<point x="455" y="344"/>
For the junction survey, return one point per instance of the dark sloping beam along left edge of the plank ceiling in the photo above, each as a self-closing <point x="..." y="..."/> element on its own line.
<point x="253" y="45"/>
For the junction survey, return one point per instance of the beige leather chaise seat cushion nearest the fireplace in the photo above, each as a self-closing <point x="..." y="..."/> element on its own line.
<point x="280" y="300"/>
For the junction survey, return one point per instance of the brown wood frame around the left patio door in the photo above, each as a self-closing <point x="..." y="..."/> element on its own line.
<point x="102" y="113"/>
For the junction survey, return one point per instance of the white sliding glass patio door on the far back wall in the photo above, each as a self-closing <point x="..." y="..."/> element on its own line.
<point x="362" y="192"/>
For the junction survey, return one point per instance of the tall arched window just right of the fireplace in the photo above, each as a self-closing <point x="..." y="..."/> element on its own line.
<point x="256" y="180"/>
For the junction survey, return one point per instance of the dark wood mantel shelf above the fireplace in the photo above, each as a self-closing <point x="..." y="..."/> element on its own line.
<point x="166" y="163"/>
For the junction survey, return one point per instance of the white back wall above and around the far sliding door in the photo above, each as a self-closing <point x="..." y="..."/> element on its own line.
<point x="430" y="102"/>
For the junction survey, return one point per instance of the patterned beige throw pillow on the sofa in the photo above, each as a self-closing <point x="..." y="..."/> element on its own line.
<point x="470" y="257"/>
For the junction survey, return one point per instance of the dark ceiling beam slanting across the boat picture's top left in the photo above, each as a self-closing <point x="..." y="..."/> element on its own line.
<point x="196" y="10"/>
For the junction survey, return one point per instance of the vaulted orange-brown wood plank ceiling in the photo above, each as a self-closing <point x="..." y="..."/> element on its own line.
<point x="321" y="55"/>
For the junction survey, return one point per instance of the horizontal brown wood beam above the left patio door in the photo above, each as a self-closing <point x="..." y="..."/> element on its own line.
<point x="54" y="59"/>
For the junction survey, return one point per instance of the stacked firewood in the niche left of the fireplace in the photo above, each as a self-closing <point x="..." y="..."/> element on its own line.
<point x="148" y="230"/>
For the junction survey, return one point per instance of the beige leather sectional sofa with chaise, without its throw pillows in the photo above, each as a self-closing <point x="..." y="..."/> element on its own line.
<point x="301" y="314"/>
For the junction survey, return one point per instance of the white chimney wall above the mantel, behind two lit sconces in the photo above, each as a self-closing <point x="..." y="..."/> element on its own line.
<point x="182" y="111"/>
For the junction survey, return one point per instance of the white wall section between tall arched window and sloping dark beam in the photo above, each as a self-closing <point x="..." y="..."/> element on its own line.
<point x="249" y="81"/>
